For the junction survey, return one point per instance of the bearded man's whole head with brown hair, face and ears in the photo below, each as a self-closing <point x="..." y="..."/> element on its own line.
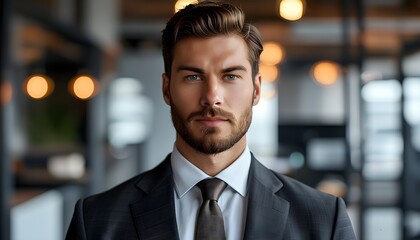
<point x="211" y="78"/>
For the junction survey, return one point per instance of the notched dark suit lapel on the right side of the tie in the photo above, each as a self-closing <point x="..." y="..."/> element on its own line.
<point x="267" y="212"/>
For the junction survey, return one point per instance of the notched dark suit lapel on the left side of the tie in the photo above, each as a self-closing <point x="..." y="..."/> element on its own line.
<point x="154" y="214"/>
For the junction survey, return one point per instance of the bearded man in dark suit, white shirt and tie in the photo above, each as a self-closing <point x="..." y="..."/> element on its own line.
<point x="211" y="82"/>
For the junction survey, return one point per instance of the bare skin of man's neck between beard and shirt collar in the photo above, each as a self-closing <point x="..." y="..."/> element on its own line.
<point x="211" y="164"/>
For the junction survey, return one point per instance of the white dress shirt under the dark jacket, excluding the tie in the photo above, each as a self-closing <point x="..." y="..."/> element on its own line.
<point x="233" y="201"/>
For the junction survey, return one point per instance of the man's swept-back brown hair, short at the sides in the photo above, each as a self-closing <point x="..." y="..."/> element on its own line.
<point x="207" y="19"/>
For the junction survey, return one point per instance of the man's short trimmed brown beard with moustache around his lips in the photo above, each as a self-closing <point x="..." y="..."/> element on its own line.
<point x="208" y="142"/>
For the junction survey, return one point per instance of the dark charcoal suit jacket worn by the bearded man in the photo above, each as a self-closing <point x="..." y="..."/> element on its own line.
<point x="278" y="208"/>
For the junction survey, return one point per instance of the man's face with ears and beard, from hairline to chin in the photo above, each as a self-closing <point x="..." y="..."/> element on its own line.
<point x="211" y="92"/>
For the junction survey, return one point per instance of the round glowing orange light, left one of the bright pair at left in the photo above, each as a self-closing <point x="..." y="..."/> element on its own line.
<point x="38" y="86"/>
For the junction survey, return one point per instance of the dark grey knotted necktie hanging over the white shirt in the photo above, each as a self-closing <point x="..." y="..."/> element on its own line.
<point x="210" y="218"/>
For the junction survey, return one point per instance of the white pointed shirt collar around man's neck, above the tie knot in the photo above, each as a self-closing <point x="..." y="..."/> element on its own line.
<point x="186" y="175"/>
